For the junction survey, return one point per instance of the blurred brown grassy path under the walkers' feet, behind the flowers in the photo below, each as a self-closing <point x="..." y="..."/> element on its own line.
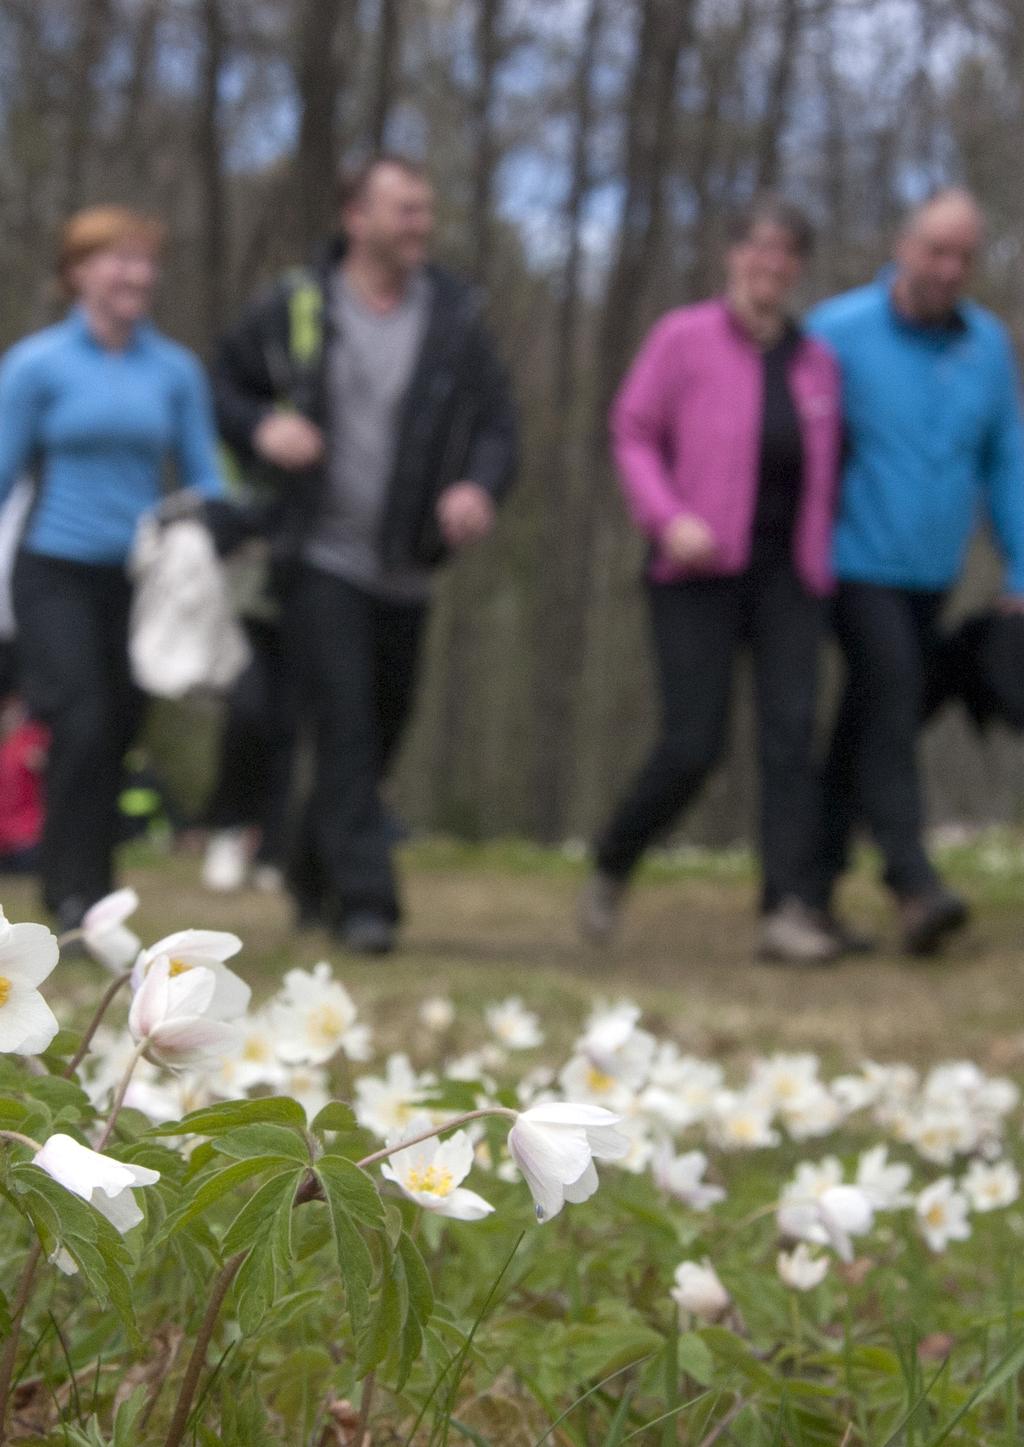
<point x="500" y="920"/>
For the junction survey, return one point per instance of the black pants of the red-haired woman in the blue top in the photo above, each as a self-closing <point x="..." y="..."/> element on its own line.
<point x="74" y="669"/>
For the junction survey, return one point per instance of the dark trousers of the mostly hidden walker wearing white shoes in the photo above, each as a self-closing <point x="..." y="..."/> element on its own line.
<point x="258" y="746"/>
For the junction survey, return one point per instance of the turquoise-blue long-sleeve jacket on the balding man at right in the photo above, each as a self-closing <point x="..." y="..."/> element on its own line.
<point x="934" y="438"/>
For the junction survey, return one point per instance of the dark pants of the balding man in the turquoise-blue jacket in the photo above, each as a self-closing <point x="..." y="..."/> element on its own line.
<point x="889" y="637"/>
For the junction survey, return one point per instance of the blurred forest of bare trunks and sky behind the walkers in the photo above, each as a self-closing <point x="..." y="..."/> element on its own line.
<point x="585" y="154"/>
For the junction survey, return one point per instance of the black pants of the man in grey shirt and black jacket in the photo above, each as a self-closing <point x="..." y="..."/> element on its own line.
<point x="358" y="659"/>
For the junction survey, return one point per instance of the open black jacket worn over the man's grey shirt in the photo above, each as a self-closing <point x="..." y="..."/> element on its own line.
<point x="458" y="419"/>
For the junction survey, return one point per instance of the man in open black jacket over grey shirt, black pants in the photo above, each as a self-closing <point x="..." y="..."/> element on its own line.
<point x="371" y="393"/>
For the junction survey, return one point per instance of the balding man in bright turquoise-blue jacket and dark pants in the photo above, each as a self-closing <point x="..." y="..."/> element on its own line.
<point x="934" y="438"/>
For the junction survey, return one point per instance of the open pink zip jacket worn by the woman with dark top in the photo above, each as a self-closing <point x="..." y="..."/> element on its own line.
<point x="686" y="435"/>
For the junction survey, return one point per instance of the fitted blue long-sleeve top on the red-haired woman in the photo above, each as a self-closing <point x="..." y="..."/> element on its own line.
<point x="98" y="429"/>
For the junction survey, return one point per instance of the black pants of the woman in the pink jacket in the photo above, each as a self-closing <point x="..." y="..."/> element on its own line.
<point x="698" y="632"/>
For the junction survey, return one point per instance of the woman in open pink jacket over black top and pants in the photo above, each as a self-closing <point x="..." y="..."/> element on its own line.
<point x="727" y="433"/>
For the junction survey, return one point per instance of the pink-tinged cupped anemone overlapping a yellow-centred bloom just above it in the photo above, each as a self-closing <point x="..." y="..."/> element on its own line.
<point x="171" y="1017"/>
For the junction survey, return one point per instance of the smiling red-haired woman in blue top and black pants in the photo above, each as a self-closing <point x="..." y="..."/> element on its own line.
<point x="93" y="407"/>
